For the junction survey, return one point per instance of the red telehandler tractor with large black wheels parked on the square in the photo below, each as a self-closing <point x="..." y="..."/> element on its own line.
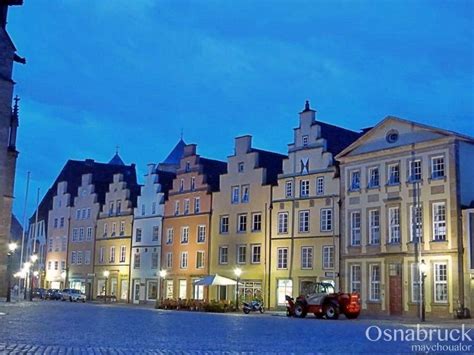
<point x="323" y="301"/>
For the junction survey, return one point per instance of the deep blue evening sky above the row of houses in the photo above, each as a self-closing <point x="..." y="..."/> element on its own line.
<point x="102" y="73"/>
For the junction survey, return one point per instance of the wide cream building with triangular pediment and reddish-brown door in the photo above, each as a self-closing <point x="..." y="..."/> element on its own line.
<point x="402" y="187"/>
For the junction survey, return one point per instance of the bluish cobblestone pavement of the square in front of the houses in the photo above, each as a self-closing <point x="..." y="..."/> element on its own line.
<point x="55" y="327"/>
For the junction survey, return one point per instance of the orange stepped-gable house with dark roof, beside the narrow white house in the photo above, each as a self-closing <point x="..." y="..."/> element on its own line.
<point x="186" y="231"/>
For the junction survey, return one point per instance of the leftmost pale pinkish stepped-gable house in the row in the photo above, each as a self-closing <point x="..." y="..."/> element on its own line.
<point x="57" y="240"/>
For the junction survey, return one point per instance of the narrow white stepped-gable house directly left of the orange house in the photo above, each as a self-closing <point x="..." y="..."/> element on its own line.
<point x="147" y="233"/>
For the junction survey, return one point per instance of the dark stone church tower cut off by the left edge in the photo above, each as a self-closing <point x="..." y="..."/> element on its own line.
<point x="8" y="133"/>
